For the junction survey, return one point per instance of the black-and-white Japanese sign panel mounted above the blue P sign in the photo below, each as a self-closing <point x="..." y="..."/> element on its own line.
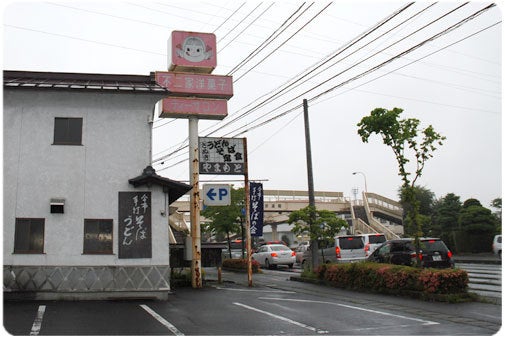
<point x="222" y="156"/>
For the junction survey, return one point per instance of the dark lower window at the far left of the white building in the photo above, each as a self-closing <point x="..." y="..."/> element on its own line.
<point x="29" y="236"/>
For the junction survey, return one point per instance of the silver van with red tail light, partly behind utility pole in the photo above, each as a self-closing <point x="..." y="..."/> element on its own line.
<point x="341" y="249"/>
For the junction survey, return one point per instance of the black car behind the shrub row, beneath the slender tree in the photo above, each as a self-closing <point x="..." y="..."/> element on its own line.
<point x="433" y="253"/>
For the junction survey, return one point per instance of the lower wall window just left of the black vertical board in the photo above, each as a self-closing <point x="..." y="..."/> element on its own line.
<point x="97" y="236"/>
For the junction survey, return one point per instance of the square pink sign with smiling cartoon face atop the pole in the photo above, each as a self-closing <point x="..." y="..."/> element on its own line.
<point x="192" y="52"/>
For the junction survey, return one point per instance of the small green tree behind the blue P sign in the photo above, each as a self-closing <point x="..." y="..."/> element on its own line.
<point x="225" y="220"/>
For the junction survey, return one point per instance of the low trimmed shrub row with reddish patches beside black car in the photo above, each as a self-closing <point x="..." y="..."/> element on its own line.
<point x="386" y="277"/>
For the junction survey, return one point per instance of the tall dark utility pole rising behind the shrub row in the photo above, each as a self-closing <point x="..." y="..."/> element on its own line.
<point x="310" y="177"/>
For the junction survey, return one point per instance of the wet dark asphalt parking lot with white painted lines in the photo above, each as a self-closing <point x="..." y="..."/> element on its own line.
<point x="273" y="306"/>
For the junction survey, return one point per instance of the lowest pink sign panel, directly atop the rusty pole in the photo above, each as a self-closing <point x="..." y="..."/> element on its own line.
<point x="184" y="107"/>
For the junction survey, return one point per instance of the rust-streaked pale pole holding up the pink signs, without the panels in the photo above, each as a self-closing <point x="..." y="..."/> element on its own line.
<point x="196" y="250"/>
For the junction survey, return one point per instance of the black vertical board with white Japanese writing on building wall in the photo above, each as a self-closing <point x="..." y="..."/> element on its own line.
<point x="134" y="236"/>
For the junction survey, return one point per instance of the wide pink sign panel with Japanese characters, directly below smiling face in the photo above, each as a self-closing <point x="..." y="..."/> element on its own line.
<point x="204" y="85"/>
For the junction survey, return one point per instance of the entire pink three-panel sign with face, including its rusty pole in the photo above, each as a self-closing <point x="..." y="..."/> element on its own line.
<point x="194" y="94"/>
